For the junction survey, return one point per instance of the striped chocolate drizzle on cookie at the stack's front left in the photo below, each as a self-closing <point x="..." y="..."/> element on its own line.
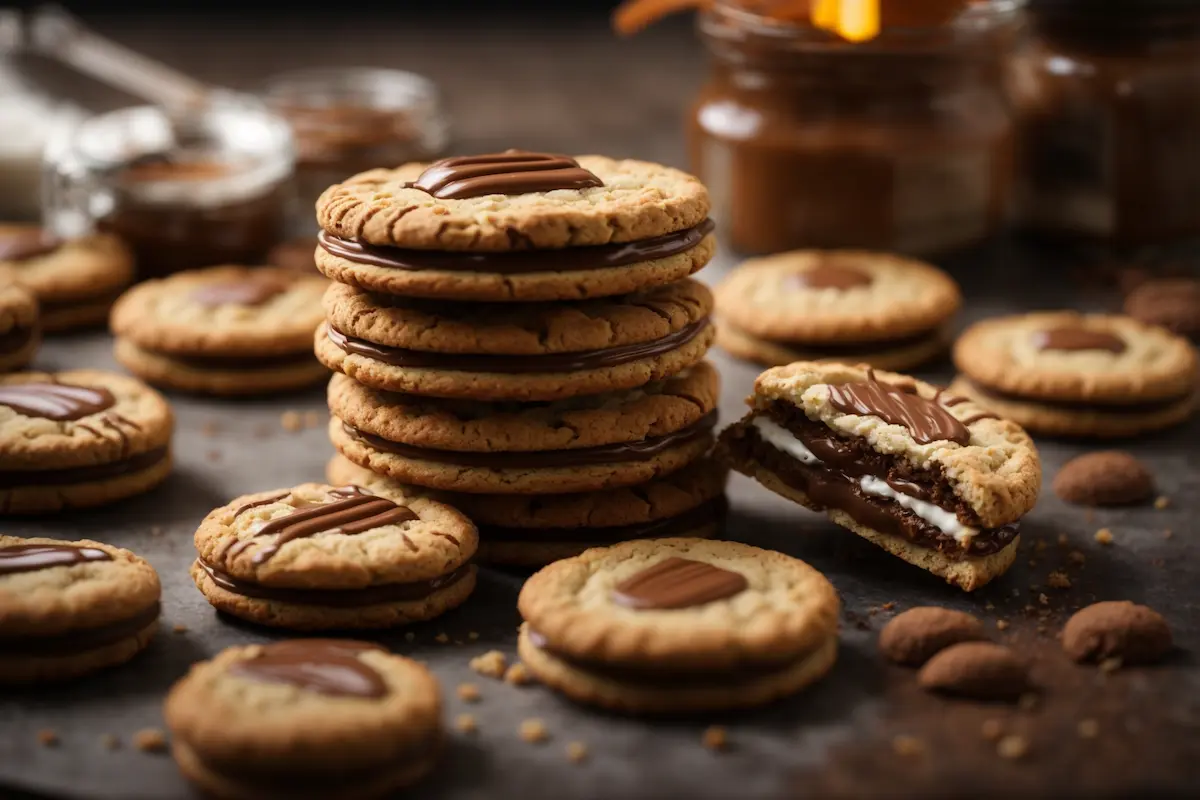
<point x="352" y="512"/>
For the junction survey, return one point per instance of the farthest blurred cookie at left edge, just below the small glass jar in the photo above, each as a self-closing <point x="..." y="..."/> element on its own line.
<point x="75" y="281"/>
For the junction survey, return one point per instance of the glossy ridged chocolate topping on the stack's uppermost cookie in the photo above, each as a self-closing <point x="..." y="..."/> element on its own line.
<point x="513" y="172"/>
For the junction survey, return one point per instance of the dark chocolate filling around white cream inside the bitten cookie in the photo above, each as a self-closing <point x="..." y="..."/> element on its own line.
<point x="835" y="484"/>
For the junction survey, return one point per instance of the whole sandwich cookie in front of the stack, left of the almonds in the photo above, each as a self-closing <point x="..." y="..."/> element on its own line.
<point x="679" y="625"/>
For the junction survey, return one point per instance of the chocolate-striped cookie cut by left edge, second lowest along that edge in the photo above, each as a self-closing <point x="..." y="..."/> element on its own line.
<point x="79" y="440"/>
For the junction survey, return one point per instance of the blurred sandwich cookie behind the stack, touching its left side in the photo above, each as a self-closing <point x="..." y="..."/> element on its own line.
<point x="225" y="330"/>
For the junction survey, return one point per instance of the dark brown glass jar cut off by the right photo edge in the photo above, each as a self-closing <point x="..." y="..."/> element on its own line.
<point x="1108" y="105"/>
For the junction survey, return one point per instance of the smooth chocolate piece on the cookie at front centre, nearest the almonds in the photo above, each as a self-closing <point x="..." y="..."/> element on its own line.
<point x="679" y="584"/>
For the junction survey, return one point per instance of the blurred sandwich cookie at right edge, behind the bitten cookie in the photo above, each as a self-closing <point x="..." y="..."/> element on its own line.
<point x="1064" y="374"/>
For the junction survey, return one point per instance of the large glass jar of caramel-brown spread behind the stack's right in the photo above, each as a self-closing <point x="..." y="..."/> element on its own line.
<point x="903" y="143"/>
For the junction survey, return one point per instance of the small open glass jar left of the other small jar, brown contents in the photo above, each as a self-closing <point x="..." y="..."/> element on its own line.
<point x="194" y="188"/>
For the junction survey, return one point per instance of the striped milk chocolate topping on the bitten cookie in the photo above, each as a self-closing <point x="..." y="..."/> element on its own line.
<point x="927" y="422"/>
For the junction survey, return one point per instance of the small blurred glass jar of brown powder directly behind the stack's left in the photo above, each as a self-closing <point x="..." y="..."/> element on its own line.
<point x="350" y="121"/>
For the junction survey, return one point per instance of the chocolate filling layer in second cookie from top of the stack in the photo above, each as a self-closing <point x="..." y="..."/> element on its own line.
<point x="518" y="364"/>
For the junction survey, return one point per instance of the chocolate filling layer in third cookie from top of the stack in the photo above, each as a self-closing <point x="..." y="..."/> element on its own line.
<point x="626" y="452"/>
